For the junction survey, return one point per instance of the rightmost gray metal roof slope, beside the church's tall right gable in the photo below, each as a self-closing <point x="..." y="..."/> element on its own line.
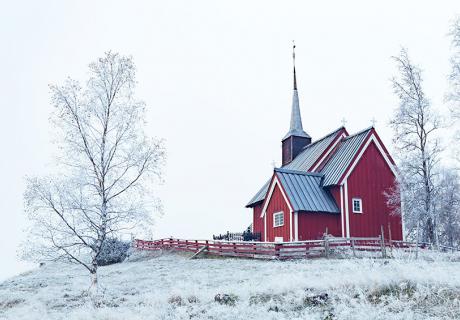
<point x="340" y="160"/>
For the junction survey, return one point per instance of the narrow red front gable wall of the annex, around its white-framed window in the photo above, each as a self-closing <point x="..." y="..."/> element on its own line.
<point x="276" y="204"/>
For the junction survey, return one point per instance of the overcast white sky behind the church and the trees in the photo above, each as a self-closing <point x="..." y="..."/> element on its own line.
<point x="216" y="76"/>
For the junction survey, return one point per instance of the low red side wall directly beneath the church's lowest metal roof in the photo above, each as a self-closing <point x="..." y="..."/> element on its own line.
<point x="312" y="225"/>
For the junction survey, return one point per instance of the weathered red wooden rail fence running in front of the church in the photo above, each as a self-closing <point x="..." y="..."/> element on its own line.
<point x="376" y="246"/>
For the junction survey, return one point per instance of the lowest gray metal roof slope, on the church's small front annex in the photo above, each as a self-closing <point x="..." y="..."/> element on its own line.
<point x="305" y="191"/>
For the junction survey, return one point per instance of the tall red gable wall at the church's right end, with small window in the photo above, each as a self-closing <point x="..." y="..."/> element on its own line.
<point x="369" y="179"/>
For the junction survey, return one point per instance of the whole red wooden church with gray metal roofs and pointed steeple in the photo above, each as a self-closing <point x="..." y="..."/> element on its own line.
<point x="335" y="183"/>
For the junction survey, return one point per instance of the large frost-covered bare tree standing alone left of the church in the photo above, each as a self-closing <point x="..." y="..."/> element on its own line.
<point x="105" y="171"/>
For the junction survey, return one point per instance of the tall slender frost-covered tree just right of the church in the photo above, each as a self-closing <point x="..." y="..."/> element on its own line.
<point x="414" y="124"/>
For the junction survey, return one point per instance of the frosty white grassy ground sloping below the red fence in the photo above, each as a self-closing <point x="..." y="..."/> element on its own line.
<point x="171" y="286"/>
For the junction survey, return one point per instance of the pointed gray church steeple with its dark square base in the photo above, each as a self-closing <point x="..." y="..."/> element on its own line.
<point x="296" y="138"/>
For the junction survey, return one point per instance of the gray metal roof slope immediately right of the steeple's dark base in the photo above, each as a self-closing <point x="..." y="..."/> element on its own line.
<point x="312" y="152"/>
